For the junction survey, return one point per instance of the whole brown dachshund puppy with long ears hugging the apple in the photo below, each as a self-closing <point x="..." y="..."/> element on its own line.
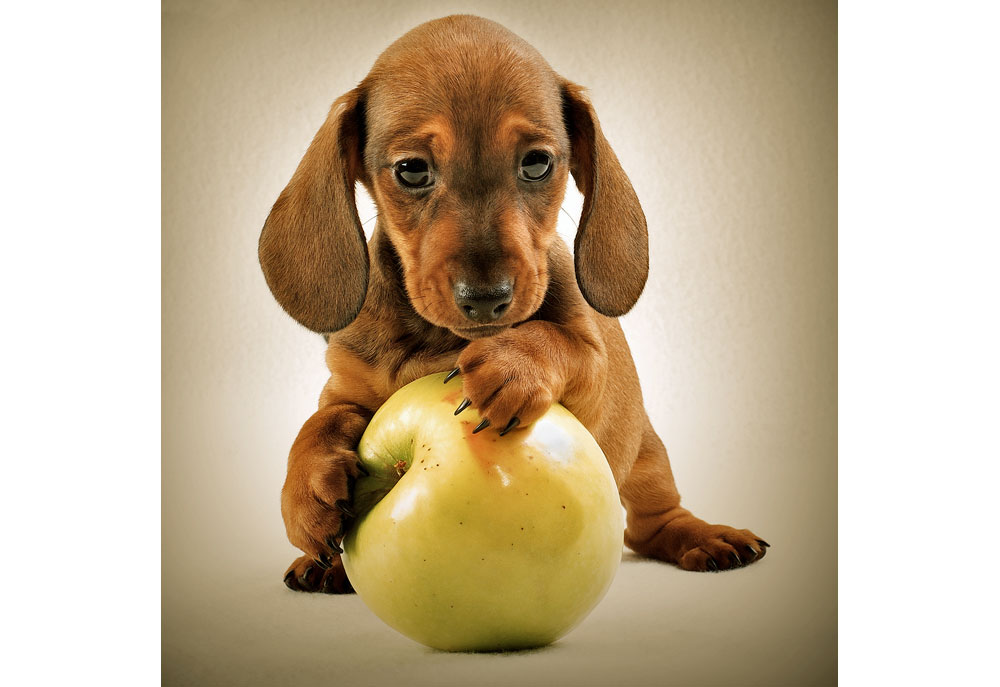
<point x="465" y="137"/>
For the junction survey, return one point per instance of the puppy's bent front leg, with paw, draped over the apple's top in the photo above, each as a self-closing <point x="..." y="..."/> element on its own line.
<point x="512" y="378"/>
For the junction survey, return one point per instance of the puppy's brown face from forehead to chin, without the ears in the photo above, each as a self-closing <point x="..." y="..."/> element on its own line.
<point x="468" y="173"/>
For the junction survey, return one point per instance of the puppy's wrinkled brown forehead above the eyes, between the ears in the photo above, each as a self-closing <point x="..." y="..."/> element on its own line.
<point x="466" y="96"/>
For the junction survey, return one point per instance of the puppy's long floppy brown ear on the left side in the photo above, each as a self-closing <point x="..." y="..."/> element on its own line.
<point x="312" y="248"/>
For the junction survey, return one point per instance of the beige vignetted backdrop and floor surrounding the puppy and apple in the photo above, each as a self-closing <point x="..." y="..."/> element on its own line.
<point x="724" y="116"/>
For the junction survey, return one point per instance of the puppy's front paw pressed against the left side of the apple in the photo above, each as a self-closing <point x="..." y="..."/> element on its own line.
<point x="315" y="503"/>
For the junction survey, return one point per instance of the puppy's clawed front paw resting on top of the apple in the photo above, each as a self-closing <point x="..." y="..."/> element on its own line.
<point x="507" y="384"/>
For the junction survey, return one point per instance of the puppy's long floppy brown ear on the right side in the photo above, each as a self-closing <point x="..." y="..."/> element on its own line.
<point x="611" y="251"/>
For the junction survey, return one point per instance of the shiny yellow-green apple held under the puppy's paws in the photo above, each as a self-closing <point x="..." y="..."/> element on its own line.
<point x="477" y="542"/>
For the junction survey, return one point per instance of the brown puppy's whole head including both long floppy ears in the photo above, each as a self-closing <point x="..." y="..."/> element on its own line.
<point x="465" y="138"/>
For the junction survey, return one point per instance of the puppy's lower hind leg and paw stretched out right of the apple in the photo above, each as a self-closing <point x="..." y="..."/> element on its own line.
<point x="659" y="528"/>
